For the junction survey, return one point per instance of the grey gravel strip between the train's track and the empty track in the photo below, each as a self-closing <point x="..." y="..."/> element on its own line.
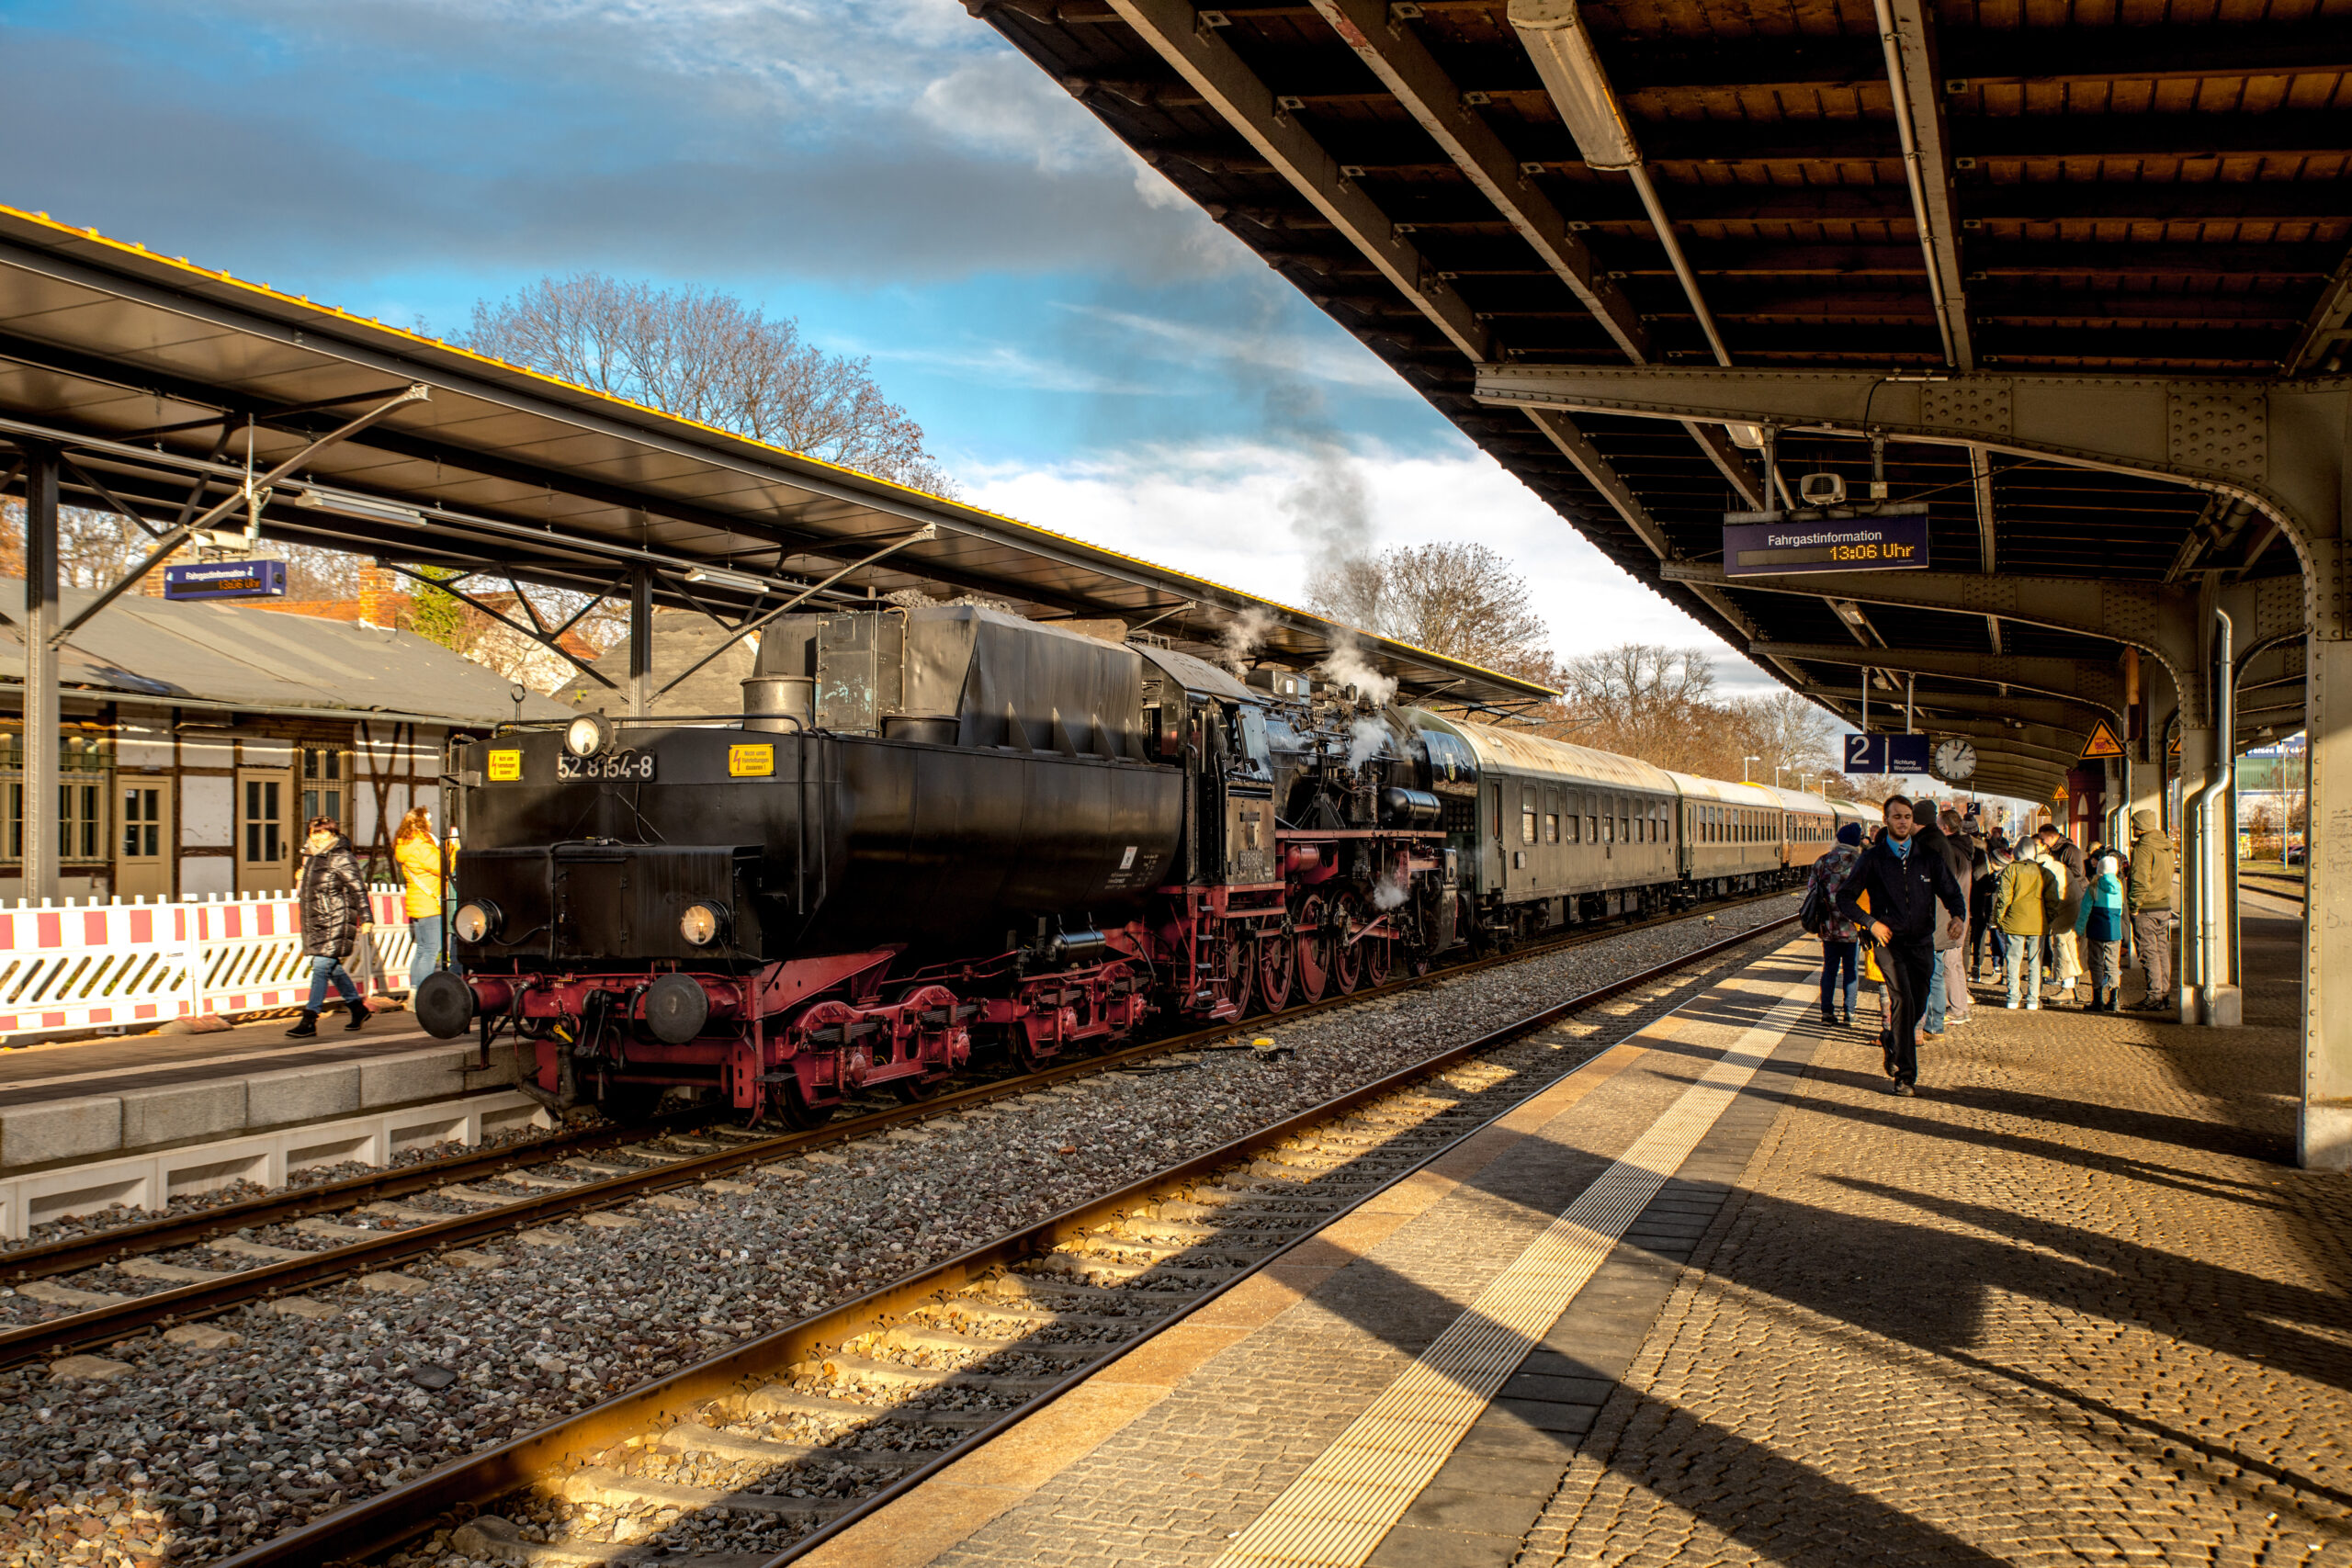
<point x="187" y="1454"/>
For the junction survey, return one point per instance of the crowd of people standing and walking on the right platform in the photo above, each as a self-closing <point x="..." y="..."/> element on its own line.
<point x="1925" y="897"/>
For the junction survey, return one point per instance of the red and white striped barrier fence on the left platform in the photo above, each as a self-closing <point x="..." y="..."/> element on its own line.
<point x="91" y="965"/>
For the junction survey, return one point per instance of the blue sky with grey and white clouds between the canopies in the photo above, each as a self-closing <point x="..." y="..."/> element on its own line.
<point x="1081" y="344"/>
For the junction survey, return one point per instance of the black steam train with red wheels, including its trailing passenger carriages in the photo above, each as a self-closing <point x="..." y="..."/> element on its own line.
<point x="947" y="829"/>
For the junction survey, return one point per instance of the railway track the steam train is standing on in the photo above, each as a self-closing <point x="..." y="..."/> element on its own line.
<point x="363" y="1228"/>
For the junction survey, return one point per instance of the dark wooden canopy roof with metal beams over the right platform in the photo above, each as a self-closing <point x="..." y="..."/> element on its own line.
<point x="1577" y="227"/>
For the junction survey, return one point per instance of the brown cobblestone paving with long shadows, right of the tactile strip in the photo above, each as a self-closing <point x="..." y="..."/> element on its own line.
<point x="2066" y="1306"/>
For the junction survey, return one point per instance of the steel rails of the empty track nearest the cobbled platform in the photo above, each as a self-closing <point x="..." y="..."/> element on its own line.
<point x="387" y="1520"/>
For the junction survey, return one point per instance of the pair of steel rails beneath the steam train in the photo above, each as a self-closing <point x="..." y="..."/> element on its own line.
<point x="269" y="1280"/>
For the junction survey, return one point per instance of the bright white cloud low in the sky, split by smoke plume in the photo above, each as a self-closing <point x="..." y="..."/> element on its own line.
<point x="1227" y="511"/>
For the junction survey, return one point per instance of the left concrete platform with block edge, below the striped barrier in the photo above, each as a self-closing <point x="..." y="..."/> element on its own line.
<point x="81" y="1101"/>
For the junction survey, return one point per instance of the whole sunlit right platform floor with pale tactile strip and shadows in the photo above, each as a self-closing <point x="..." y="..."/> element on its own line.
<point x="1725" y="1299"/>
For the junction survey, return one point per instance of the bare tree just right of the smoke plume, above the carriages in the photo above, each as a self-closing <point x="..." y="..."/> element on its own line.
<point x="1452" y="598"/>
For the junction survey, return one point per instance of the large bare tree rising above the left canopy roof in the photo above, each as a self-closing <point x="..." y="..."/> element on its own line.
<point x="709" y="359"/>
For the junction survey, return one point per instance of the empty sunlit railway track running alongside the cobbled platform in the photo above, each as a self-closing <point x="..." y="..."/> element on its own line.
<point x="761" y="1452"/>
